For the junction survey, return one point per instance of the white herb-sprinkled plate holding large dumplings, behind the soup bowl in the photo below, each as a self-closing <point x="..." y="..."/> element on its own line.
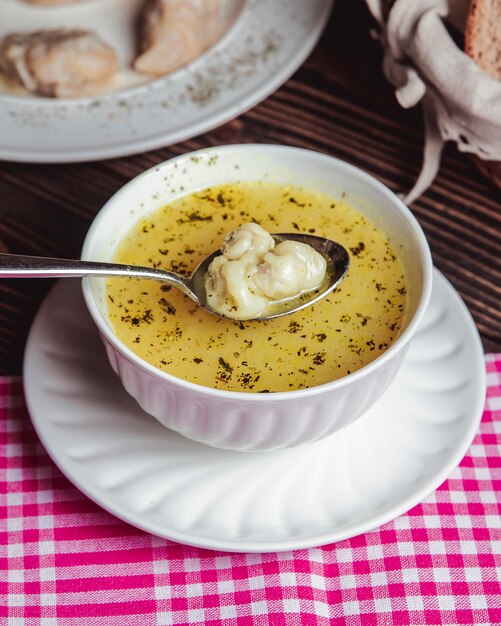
<point x="267" y="42"/>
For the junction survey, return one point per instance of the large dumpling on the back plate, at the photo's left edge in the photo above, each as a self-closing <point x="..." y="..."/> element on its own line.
<point x="58" y="63"/>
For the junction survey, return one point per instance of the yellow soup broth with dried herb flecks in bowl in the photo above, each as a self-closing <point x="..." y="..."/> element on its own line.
<point x="337" y="336"/>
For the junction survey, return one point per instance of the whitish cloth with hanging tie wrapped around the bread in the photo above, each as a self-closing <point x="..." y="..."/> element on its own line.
<point x="460" y="102"/>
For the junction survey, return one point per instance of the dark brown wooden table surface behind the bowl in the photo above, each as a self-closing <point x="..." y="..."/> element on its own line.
<point x="337" y="103"/>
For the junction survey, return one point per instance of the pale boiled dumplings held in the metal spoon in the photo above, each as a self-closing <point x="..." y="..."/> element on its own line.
<point x="253" y="273"/>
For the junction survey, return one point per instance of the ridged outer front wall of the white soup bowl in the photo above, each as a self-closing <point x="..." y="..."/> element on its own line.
<point x="240" y="423"/>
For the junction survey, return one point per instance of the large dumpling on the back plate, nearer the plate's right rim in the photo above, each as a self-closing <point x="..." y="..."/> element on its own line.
<point x="174" y="32"/>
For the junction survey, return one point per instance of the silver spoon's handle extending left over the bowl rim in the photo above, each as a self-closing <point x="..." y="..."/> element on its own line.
<point x="25" y="266"/>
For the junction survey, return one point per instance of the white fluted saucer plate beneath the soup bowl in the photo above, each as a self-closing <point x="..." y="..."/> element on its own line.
<point x="344" y="485"/>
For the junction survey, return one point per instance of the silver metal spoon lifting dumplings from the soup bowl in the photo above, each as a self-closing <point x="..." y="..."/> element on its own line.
<point x="338" y="260"/>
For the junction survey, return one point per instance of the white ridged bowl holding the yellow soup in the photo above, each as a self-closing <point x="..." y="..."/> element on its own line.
<point x="254" y="421"/>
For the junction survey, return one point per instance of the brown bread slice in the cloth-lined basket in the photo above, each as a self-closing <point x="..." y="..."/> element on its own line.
<point x="483" y="35"/>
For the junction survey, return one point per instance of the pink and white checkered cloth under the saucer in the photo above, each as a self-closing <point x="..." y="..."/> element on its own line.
<point x="65" y="561"/>
